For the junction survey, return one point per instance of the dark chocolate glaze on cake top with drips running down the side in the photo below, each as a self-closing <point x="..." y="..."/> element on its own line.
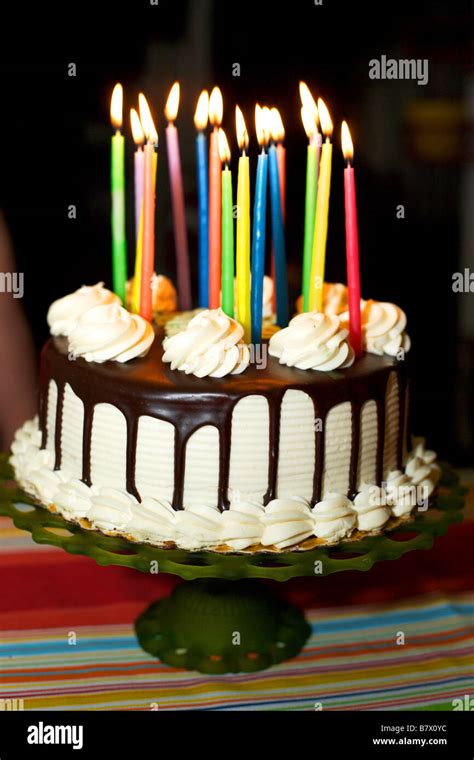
<point x="148" y="386"/>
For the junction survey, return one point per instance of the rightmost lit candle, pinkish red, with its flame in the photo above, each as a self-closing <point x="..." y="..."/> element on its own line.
<point x="352" y="242"/>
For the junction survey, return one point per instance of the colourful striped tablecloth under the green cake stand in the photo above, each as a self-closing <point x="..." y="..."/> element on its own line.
<point x="398" y="637"/>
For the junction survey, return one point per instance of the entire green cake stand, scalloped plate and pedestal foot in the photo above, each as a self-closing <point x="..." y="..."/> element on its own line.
<point x="210" y="624"/>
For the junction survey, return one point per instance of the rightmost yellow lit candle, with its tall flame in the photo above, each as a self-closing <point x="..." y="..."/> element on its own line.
<point x="309" y="117"/>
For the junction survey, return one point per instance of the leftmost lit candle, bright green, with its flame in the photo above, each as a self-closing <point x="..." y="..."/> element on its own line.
<point x="117" y="177"/>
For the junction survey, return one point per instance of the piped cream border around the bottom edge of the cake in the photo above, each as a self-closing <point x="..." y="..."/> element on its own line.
<point x="281" y="524"/>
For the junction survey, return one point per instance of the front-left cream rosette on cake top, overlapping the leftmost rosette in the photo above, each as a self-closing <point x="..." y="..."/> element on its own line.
<point x="110" y="333"/>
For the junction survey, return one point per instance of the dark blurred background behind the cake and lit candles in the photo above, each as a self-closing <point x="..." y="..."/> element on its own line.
<point x="413" y="147"/>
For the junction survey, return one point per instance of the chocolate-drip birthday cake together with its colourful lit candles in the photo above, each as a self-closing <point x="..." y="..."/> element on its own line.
<point x="177" y="430"/>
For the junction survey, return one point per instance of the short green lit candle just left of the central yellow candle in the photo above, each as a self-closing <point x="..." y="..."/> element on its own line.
<point x="227" y="285"/>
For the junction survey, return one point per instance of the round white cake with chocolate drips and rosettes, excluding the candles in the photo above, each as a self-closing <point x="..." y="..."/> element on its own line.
<point x="189" y="441"/>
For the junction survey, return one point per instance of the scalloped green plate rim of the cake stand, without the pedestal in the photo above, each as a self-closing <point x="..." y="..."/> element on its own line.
<point x="49" y="528"/>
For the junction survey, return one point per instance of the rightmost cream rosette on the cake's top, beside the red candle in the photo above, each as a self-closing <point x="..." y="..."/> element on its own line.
<point x="383" y="328"/>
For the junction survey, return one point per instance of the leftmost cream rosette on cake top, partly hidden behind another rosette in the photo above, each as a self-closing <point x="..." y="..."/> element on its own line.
<point x="65" y="313"/>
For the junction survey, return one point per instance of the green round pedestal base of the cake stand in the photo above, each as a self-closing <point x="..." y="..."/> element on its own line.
<point x="216" y="626"/>
